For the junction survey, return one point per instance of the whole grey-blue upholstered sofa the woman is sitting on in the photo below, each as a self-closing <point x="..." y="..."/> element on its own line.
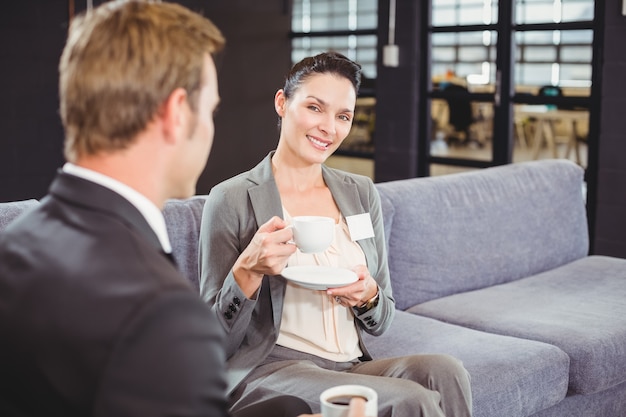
<point x="492" y="267"/>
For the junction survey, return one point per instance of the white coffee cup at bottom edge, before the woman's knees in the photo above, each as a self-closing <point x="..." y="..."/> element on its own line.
<point x="335" y="401"/>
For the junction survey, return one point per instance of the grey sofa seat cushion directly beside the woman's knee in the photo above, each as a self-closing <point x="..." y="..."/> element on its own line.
<point x="510" y="377"/>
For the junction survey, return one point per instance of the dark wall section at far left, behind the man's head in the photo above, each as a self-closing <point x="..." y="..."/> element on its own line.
<point x="32" y="34"/>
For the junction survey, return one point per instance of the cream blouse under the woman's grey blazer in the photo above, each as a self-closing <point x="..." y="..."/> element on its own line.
<point x="312" y="321"/>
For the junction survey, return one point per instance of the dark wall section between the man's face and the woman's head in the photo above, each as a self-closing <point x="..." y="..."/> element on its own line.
<point x="250" y="70"/>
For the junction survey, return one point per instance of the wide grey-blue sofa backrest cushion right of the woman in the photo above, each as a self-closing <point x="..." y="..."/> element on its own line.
<point x="461" y="232"/>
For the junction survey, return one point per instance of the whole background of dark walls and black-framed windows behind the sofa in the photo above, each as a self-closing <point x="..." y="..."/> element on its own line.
<point x="450" y="86"/>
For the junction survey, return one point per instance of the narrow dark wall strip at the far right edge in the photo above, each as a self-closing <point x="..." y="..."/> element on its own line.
<point x="610" y="207"/>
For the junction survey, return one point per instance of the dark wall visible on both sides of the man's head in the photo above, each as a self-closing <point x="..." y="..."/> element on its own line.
<point x="251" y="69"/>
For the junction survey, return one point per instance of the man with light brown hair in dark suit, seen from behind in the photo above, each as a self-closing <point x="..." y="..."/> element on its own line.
<point x="94" y="316"/>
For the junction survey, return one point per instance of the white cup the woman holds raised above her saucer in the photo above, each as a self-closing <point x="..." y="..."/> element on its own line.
<point x="313" y="234"/>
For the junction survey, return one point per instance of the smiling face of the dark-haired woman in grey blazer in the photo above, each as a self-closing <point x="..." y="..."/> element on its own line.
<point x="317" y="117"/>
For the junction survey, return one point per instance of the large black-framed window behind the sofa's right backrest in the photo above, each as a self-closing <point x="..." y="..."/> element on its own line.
<point x="548" y="56"/>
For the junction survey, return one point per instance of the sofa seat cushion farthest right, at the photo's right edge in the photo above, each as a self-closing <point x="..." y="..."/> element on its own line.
<point x="578" y="307"/>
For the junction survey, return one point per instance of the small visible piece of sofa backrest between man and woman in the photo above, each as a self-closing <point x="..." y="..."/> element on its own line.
<point x="182" y="219"/>
